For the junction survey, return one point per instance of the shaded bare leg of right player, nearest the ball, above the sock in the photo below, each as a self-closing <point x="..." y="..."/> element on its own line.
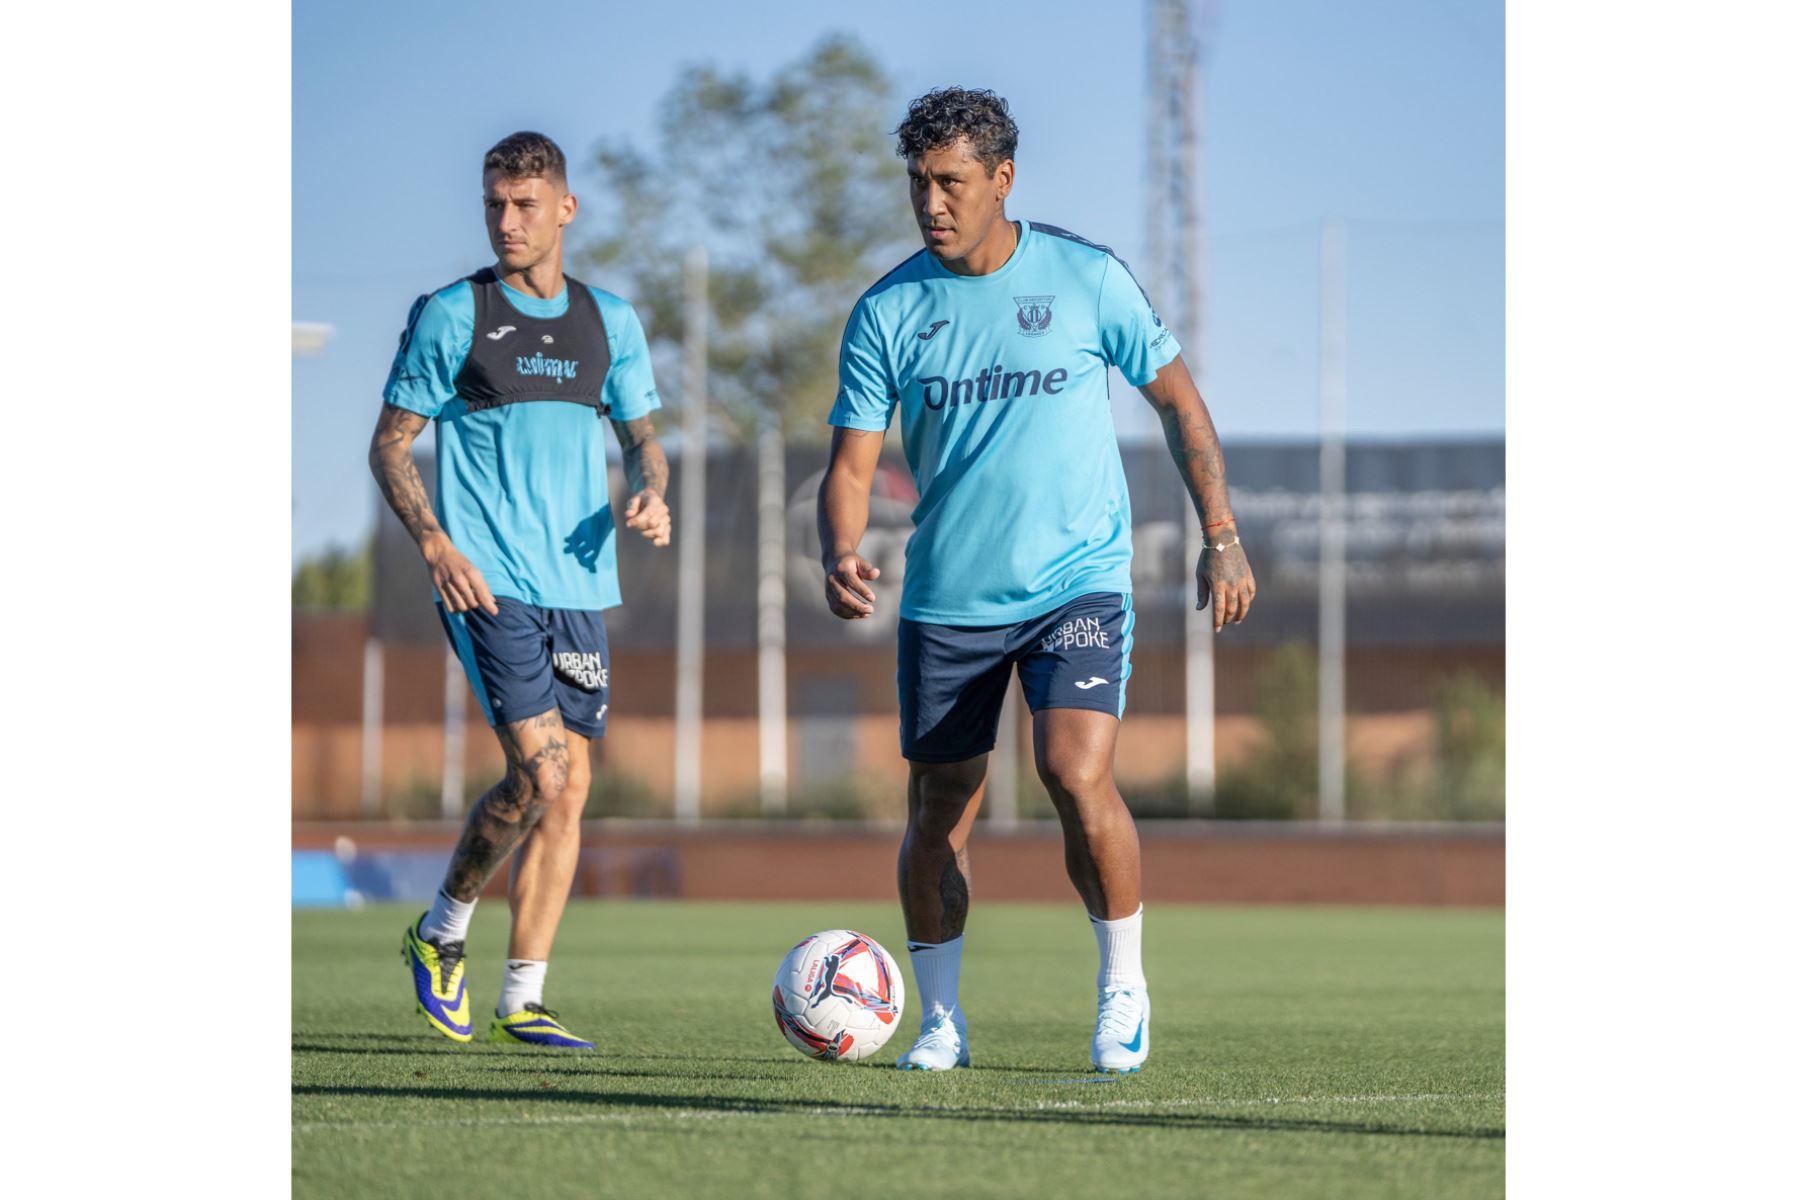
<point x="942" y="805"/>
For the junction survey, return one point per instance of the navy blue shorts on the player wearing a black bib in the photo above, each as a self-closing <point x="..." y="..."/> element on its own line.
<point x="530" y="661"/>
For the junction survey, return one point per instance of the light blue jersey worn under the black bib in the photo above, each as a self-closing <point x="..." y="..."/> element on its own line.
<point x="523" y="487"/>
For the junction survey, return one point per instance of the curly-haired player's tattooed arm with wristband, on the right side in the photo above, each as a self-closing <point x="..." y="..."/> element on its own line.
<point x="1189" y="431"/>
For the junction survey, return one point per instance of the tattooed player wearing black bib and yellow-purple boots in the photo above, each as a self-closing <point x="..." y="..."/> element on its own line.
<point x="521" y="368"/>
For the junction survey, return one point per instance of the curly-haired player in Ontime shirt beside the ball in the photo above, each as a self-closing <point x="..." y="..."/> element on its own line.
<point x="993" y="345"/>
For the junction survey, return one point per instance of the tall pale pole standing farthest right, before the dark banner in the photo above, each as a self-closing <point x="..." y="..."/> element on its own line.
<point x="1333" y="586"/>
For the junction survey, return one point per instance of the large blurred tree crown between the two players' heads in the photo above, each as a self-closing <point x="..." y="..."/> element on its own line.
<point x="793" y="188"/>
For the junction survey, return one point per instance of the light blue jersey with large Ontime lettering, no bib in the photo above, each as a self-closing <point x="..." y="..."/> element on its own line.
<point x="1002" y="388"/>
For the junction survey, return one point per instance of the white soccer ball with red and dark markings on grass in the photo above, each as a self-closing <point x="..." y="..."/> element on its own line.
<point x="838" y="996"/>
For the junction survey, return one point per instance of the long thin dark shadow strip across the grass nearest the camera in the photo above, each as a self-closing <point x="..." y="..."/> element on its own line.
<point x="757" y="1107"/>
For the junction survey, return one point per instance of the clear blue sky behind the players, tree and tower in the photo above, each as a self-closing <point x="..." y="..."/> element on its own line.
<point x="1387" y="114"/>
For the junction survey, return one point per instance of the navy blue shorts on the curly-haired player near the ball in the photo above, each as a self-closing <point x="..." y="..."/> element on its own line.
<point x="953" y="679"/>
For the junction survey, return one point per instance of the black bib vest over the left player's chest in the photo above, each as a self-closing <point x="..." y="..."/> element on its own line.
<point x="514" y="359"/>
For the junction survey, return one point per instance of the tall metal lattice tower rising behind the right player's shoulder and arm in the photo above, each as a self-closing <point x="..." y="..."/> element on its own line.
<point x="1176" y="282"/>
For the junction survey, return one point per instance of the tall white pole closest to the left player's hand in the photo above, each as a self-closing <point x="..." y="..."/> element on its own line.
<point x="690" y="562"/>
